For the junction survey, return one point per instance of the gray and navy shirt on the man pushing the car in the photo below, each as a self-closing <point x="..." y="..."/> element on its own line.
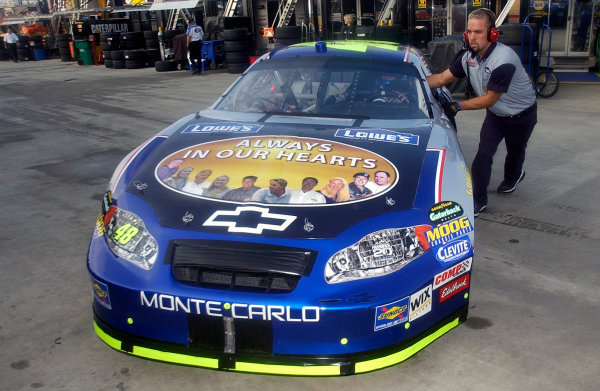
<point x="499" y="70"/>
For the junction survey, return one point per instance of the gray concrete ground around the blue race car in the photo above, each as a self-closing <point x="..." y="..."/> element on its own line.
<point x="534" y="318"/>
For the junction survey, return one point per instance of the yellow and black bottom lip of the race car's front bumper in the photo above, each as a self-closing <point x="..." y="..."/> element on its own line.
<point x="277" y="364"/>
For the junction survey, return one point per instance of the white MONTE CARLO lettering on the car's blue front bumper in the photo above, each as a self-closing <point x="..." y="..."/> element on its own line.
<point x="234" y="310"/>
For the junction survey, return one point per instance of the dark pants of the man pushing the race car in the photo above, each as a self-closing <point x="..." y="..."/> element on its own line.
<point x="516" y="132"/>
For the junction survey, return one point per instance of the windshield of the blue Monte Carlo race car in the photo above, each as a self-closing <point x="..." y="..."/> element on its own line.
<point x="330" y="86"/>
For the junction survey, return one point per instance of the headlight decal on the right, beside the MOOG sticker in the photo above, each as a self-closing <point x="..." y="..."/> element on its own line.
<point x="377" y="254"/>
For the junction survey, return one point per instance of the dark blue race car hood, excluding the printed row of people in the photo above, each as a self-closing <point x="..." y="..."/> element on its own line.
<point x="291" y="151"/>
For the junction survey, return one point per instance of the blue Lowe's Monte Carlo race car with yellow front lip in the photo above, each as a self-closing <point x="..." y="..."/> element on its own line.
<point x="317" y="219"/>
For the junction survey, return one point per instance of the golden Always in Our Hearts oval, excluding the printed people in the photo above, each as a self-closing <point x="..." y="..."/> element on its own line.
<point x="192" y="170"/>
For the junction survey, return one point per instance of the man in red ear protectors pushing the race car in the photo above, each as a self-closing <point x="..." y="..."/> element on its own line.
<point x="503" y="88"/>
